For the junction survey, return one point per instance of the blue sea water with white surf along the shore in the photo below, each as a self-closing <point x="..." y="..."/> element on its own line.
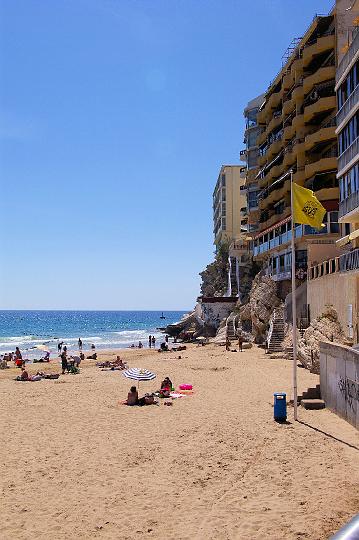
<point x="104" y="329"/>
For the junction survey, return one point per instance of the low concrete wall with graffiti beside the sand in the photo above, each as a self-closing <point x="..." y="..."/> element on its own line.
<point x="339" y="380"/>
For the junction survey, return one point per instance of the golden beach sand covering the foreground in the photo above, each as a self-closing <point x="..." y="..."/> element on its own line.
<point x="215" y="465"/>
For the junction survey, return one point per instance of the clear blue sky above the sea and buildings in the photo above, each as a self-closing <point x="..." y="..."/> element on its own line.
<point x="115" y="119"/>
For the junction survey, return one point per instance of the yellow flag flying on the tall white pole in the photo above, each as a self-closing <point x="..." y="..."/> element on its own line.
<point x="306" y="207"/>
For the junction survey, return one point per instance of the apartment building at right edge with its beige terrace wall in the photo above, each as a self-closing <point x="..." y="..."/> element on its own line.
<point x="336" y="280"/>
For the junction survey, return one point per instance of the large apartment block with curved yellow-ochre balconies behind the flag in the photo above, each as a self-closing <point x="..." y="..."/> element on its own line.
<point x="298" y="119"/>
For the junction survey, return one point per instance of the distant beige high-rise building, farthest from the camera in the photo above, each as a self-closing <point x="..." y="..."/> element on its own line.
<point x="229" y="205"/>
